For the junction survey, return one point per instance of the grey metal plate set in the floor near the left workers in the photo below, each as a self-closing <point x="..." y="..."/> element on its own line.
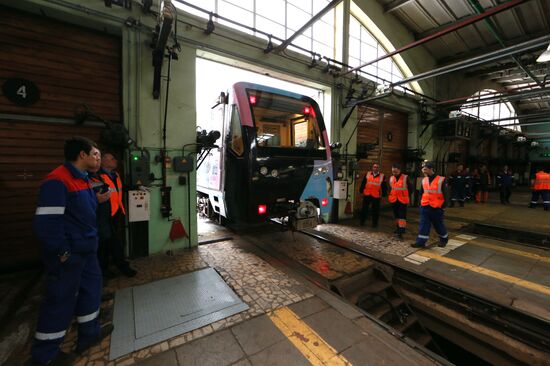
<point x="148" y="314"/>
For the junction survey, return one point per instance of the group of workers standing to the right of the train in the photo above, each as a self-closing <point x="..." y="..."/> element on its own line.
<point x="433" y="193"/>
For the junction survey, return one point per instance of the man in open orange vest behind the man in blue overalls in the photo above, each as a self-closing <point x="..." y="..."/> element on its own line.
<point x="112" y="243"/>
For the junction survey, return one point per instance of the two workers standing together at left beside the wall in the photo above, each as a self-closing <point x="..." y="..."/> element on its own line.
<point x="78" y="207"/>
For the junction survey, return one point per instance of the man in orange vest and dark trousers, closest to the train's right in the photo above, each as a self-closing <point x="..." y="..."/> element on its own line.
<point x="373" y="187"/>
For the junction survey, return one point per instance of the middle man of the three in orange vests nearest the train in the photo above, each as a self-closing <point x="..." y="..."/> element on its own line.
<point x="400" y="186"/>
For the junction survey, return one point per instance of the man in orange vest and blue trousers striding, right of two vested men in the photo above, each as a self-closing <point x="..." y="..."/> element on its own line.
<point x="433" y="193"/>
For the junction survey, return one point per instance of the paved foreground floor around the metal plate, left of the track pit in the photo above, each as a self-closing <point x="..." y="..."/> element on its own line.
<point x="323" y="327"/>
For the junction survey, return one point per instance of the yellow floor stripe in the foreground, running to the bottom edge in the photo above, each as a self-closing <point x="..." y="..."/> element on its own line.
<point x="306" y="340"/>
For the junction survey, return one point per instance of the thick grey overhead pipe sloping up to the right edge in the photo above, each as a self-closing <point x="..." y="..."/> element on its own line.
<point x="491" y="56"/>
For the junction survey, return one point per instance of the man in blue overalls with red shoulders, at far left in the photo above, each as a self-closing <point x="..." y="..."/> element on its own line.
<point x="65" y="224"/>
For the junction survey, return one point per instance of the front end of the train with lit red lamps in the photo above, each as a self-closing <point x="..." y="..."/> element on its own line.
<point x="289" y="164"/>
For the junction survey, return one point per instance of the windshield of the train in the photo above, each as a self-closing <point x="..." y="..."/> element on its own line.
<point x="285" y="122"/>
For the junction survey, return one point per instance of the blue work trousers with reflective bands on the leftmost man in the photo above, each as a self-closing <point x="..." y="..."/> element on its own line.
<point x="72" y="288"/>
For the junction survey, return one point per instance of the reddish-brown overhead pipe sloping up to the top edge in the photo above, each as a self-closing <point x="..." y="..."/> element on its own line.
<point x="452" y="28"/>
